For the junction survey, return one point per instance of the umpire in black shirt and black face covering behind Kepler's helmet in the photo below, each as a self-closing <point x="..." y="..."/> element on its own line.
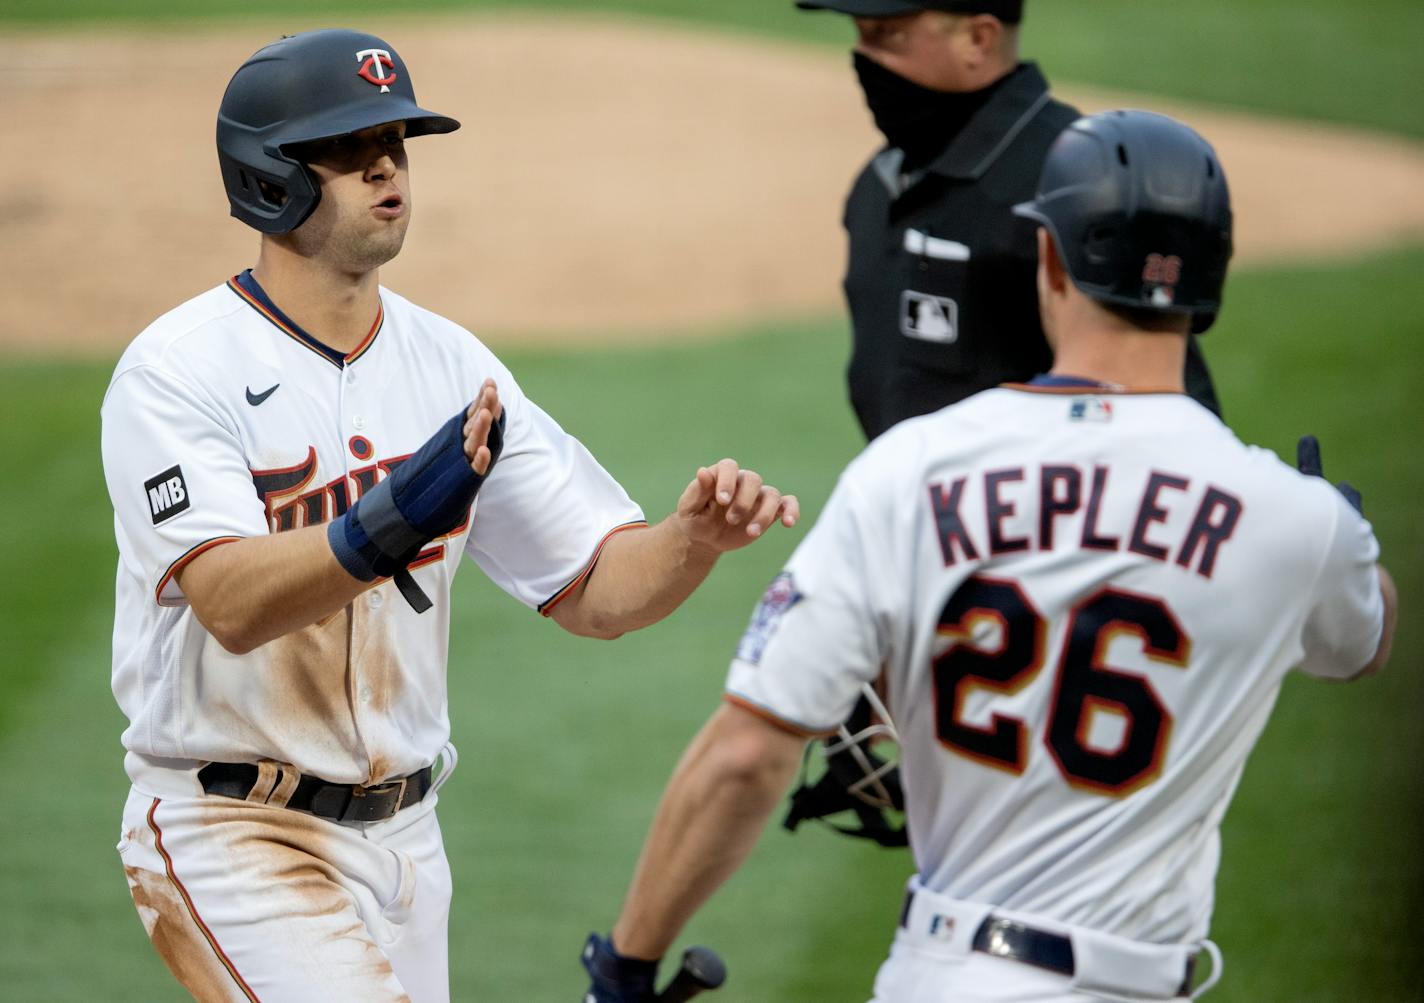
<point x="942" y="276"/>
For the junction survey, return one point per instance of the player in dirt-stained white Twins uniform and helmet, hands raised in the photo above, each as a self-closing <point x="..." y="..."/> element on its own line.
<point x="298" y="461"/>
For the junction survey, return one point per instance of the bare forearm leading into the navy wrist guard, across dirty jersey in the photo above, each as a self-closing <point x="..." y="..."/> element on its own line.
<point x="256" y="591"/>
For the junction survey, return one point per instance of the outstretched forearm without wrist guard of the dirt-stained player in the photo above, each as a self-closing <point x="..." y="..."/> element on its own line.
<point x="642" y="576"/>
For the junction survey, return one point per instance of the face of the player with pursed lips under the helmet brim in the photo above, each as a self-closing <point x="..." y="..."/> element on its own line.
<point x="361" y="222"/>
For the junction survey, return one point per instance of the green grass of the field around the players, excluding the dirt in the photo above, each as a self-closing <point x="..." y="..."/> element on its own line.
<point x="1321" y="895"/>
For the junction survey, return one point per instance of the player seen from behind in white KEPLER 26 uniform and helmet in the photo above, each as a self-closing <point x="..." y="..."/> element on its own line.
<point x="1080" y="598"/>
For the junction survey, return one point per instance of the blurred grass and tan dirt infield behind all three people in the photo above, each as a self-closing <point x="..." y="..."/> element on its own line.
<point x="642" y="214"/>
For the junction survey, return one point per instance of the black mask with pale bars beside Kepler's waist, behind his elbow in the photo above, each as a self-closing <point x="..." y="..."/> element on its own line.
<point x="857" y="779"/>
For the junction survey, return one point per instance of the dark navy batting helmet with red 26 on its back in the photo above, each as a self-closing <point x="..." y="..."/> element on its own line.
<point x="1138" y="209"/>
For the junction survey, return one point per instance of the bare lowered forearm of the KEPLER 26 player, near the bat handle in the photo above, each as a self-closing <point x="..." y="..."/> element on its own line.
<point x="713" y="813"/>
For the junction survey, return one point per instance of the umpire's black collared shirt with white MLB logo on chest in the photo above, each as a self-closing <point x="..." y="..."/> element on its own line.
<point x="942" y="276"/>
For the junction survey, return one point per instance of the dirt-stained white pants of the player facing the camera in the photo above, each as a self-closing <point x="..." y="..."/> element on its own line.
<point x="251" y="903"/>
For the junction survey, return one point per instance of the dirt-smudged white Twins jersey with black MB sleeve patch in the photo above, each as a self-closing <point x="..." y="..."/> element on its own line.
<point x="227" y="421"/>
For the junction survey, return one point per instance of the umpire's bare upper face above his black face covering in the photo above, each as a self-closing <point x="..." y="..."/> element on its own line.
<point x="931" y="49"/>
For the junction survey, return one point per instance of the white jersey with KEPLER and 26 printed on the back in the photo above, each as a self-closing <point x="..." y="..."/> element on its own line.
<point x="1086" y="606"/>
